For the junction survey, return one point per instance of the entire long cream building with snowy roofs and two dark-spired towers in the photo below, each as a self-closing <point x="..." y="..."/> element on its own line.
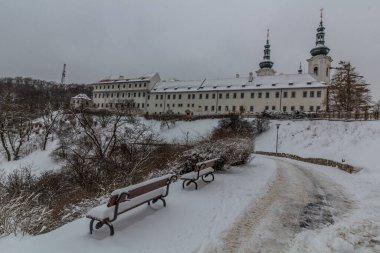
<point x="267" y="91"/>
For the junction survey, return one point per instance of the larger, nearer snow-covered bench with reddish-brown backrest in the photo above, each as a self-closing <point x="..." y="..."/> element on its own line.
<point x="125" y="199"/>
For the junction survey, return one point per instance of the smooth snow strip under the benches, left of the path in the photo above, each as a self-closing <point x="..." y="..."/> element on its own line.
<point x="193" y="220"/>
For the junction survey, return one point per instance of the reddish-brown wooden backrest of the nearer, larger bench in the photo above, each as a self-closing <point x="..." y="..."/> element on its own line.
<point x="135" y="192"/>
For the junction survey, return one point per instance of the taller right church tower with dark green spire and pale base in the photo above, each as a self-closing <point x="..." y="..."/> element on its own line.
<point x="320" y="62"/>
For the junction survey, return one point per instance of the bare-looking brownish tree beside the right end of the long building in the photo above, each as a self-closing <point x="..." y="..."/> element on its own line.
<point x="348" y="91"/>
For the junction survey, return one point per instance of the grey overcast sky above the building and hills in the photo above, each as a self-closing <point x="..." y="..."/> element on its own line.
<point x="185" y="39"/>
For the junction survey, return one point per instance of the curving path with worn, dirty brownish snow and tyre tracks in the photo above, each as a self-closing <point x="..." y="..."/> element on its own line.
<point x="299" y="199"/>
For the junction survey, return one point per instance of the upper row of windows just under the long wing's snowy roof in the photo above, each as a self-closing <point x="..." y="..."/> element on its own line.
<point x="285" y="94"/>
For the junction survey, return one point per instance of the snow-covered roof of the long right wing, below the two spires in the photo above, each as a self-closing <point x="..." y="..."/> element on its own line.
<point x="242" y="83"/>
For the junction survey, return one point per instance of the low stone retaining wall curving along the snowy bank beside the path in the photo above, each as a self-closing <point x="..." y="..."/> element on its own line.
<point x="320" y="161"/>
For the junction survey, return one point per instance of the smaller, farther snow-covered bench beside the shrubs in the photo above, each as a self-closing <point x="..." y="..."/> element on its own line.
<point x="201" y="170"/>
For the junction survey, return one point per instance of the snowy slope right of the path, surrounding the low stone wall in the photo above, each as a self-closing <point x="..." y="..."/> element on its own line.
<point x="358" y="143"/>
